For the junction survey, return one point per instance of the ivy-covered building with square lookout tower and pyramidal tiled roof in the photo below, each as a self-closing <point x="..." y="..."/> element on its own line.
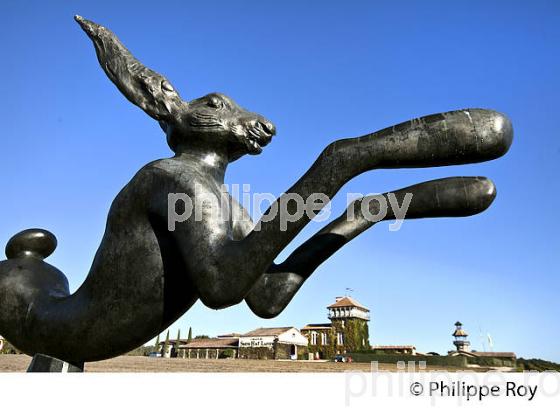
<point x="348" y="330"/>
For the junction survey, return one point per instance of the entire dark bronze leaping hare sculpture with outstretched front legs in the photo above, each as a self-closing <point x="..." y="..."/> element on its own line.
<point x="145" y="276"/>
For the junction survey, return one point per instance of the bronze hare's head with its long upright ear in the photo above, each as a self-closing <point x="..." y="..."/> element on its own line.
<point x="214" y="121"/>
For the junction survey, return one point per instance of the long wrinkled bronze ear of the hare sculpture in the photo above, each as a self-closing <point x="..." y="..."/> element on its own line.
<point x="144" y="87"/>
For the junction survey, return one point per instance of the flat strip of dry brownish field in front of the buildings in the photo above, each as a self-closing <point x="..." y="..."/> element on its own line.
<point x="135" y="364"/>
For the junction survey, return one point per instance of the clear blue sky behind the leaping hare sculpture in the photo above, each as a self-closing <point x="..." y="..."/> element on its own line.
<point x="320" y="70"/>
